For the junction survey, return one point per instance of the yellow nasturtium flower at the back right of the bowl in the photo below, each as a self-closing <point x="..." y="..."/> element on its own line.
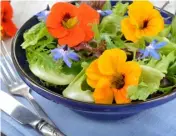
<point x="143" y="20"/>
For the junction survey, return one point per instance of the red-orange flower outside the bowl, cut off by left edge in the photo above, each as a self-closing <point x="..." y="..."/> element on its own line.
<point x="8" y="28"/>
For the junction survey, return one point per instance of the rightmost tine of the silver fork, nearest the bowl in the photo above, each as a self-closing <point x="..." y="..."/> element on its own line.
<point x="7" y="62"/>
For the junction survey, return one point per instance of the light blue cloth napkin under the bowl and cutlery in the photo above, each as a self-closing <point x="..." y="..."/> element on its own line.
<point x="159" y="121"/>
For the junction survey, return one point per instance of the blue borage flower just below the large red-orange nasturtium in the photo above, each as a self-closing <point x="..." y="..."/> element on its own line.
<point x="65" y="53"/>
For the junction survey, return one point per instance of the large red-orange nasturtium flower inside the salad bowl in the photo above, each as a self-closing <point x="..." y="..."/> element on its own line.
<point x="71" y="24"/>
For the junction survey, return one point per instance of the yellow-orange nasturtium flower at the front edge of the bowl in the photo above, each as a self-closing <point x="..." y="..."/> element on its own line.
<point x="111" y="75"/>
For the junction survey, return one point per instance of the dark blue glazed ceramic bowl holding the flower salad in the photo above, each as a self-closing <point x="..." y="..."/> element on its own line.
<point x="96" y="111"/>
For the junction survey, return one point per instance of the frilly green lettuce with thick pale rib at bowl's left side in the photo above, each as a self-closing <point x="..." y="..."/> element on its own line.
<point x="38" y="45"/>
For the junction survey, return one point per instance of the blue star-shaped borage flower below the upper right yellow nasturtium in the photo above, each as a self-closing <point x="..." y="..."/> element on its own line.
<point x="151" y="49"/>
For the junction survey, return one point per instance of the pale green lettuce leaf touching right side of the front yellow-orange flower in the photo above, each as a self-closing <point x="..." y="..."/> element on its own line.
<point x="149" y="83"/>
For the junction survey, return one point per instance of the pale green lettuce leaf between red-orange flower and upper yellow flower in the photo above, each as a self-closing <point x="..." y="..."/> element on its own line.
<point x="107" y="31"/>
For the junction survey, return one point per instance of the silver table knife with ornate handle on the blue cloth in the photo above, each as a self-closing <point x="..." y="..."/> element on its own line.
<point x="20" y="113"/>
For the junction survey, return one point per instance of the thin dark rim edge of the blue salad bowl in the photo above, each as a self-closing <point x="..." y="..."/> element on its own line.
<point x="36" y="84"/>
